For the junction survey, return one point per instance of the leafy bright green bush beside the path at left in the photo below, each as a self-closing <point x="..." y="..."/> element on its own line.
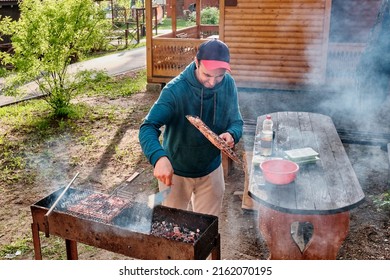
<point x="47" y="38"/>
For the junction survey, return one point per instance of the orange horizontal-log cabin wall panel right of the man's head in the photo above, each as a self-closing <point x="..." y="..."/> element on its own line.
<point x="277" y="43"/>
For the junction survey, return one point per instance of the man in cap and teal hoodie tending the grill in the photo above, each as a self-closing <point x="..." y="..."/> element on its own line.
<point x="187" y="162"/>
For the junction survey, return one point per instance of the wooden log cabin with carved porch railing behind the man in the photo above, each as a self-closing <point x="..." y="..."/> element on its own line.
<point x="278" y="44"/>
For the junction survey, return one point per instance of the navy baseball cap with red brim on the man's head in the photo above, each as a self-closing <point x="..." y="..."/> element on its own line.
<point x="214" y="54"/>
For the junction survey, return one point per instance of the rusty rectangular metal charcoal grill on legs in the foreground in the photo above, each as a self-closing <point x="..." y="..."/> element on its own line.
<point x="127" y="232"/>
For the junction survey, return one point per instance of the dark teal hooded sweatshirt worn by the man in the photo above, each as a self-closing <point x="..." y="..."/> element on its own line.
<point x="189" y="151"/>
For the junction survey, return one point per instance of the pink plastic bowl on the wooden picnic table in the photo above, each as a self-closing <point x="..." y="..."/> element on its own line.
<point x="279" y="171"/>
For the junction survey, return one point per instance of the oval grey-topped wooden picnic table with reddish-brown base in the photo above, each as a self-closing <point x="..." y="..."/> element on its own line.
<point x="309" y="218"/>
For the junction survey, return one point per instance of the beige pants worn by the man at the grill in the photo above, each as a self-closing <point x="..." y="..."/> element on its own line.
<point x="204" y="193"/>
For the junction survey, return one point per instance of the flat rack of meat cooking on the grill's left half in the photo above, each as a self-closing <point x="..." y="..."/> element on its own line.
<point x="99" y="206"/>
